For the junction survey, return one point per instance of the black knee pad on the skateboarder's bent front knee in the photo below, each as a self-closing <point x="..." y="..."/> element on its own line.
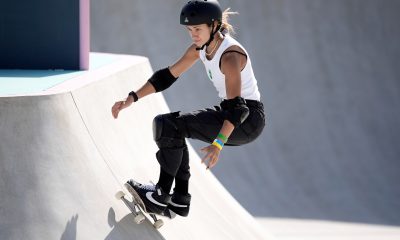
<point x="166" y="132"/>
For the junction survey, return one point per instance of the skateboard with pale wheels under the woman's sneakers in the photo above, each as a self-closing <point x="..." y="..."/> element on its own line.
<point x="138" y="208"/>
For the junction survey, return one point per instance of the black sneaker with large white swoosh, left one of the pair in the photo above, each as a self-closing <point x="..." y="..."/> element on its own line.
<point x="155" y="200"/>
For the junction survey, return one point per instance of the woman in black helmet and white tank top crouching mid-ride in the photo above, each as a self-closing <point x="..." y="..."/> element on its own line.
<point x="238" y="120"/>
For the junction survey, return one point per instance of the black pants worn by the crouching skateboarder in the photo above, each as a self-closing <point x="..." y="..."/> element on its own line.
<point x="203" y="125"/>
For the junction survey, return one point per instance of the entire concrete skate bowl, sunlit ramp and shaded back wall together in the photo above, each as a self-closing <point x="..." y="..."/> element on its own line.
<point x="326" y="167"/>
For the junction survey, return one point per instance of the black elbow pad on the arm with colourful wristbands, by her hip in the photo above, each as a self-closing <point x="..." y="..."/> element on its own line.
<point x="236" y="110"/>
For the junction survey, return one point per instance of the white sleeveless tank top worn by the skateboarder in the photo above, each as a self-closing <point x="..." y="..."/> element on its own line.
<point x="249" y="88"/>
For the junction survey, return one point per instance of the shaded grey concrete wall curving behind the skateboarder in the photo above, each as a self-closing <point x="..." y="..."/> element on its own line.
<point x="329" y="75"/>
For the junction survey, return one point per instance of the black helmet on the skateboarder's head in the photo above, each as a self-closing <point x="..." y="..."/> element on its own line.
<point x="198" y="12"/>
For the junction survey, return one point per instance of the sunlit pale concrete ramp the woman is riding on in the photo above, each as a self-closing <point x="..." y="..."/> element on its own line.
<point x="63" y="157"/>
